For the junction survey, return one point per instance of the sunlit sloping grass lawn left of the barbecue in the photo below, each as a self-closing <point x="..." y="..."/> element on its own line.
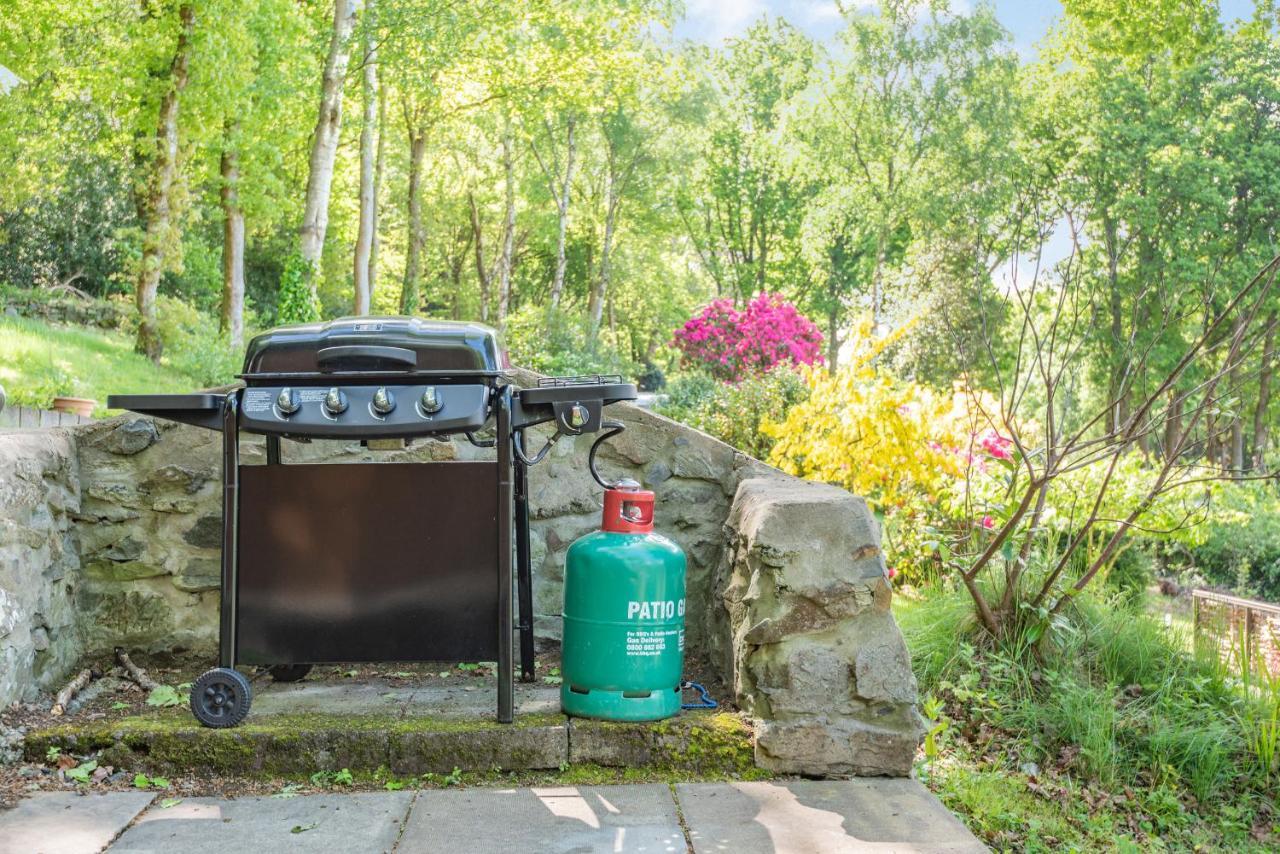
<point x="40" y="362"/>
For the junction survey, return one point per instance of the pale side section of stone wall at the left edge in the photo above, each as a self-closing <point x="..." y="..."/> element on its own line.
<point x="39" y="561"/>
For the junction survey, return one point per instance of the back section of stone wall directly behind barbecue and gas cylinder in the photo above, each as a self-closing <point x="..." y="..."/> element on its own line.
<point x="152" y="541"/>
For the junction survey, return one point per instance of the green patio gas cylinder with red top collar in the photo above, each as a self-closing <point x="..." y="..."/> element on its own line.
<point x="624" y="643"/>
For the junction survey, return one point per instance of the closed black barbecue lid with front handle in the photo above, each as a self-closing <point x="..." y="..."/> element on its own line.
<point x="376" y="345"/>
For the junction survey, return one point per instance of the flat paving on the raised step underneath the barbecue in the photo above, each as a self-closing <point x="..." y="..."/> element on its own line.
<point x="464" y="698"/>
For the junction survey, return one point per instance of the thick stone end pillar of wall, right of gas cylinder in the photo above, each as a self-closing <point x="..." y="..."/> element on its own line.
<point x="807" y="640"/>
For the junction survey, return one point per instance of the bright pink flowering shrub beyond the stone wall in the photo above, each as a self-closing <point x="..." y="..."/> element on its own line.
<point x="732" y="345"/>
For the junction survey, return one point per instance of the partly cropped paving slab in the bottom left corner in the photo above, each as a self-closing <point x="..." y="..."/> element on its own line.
<point x="67" y="823"/>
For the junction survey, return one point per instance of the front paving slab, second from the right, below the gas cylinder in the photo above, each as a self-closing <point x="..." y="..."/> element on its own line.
<point x="579" y="820"/>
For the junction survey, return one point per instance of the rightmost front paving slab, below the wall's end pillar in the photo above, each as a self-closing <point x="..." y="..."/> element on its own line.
<point x="820" y="818"/>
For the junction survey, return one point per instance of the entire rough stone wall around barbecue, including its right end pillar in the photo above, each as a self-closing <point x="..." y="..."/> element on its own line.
<point x="787" y="586"/>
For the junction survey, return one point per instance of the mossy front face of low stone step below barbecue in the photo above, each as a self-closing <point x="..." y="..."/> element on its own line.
<point x="284" y="746"/>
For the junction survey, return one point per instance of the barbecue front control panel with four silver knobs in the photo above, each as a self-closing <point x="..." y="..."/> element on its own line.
<point x="364" y="412"/>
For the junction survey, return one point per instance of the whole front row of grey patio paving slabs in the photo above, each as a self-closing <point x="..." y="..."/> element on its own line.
<point x="797" y="818"/>
